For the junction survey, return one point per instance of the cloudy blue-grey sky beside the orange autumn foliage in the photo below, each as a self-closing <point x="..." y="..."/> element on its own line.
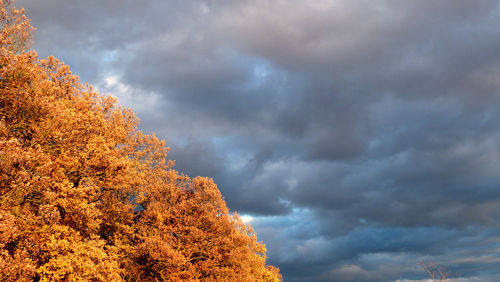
<point x="359" y="138"/>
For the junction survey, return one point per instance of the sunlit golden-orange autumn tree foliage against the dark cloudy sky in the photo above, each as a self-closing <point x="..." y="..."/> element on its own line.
<point x="84" y="195"/>
